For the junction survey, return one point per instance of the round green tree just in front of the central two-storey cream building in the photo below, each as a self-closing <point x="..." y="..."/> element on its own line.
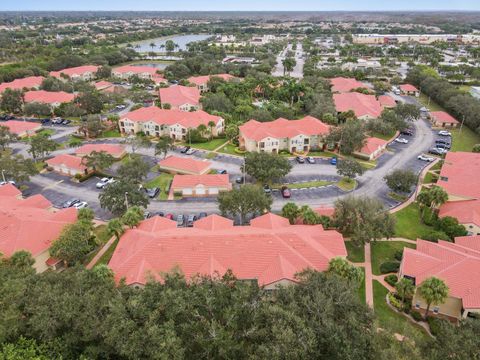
<point x="265" y="167"/>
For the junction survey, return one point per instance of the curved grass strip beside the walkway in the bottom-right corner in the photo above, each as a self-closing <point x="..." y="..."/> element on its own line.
<point x="390" y="320"/>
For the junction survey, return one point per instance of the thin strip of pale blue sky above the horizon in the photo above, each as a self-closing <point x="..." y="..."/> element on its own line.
<point x="231" y="5"/>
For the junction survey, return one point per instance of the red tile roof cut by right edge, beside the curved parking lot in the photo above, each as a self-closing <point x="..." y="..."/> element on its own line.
<point x="460" y="174"/>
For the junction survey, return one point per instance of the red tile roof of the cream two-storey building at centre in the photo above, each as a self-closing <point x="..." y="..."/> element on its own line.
<point x="283" y="128"/>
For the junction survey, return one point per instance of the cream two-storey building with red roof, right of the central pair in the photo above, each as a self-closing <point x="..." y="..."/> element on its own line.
<point x="290" y="135"/>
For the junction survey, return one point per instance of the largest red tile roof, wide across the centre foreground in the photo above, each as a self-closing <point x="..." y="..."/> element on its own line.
<point x="260" y="251"/>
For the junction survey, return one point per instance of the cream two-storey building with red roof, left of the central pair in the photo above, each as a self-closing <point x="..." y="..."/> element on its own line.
<point x="154" y="121"/>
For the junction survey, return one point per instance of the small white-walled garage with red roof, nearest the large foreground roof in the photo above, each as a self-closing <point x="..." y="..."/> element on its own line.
<point x="200" y="185"/>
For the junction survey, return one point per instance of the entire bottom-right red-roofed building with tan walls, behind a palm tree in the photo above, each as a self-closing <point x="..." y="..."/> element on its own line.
<point x="457" y="264"/>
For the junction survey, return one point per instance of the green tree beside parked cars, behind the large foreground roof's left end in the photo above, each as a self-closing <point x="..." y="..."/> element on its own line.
<point x="115" y="196"/>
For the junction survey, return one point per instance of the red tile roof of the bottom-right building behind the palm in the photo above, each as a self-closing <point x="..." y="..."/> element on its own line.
<point x="458" y="264"/>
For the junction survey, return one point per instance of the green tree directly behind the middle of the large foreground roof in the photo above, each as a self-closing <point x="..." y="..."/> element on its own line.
<point x="248" y="199"/>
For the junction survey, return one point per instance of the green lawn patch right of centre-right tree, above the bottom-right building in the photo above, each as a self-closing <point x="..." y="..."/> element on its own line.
<point x="409" y="224"/>
